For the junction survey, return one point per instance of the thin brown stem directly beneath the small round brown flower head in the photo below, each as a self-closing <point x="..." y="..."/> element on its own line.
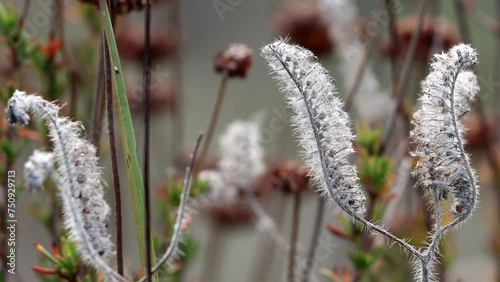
<point x="213" y="122"/>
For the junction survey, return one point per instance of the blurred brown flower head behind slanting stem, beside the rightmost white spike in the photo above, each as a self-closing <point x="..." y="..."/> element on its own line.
<point x="432" y="27"/>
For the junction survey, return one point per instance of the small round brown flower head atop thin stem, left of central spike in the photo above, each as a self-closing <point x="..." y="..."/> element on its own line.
<point x="236" y="61"/>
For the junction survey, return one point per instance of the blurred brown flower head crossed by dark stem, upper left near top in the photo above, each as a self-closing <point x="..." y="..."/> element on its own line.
<point x="130" y="41"/>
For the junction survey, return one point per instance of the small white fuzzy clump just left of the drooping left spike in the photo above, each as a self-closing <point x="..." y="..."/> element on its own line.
<point x="38" y="167"/>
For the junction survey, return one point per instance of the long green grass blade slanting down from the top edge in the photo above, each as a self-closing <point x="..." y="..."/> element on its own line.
<point x="128" y="137"/>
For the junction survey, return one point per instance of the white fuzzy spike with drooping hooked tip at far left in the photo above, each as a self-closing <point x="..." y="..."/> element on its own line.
<point x="78" y="179"/>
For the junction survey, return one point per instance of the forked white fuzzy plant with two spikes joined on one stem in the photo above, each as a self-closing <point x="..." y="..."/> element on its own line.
<point x="325" y="135"/>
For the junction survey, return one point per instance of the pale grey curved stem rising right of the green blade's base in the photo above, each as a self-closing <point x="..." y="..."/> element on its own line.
<point x="176" y="236"/>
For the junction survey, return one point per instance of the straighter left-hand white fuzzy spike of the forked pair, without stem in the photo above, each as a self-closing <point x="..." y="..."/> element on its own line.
<point x="323" y="127"/>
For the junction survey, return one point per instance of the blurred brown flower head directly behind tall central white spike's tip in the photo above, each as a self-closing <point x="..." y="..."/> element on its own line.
<point x="303" y="24"/>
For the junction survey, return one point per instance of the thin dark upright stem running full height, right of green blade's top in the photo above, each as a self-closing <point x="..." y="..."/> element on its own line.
<point x="147" y="125"/>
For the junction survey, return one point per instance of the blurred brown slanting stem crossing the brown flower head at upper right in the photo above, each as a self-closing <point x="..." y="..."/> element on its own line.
<point x="398" y="89"/>
